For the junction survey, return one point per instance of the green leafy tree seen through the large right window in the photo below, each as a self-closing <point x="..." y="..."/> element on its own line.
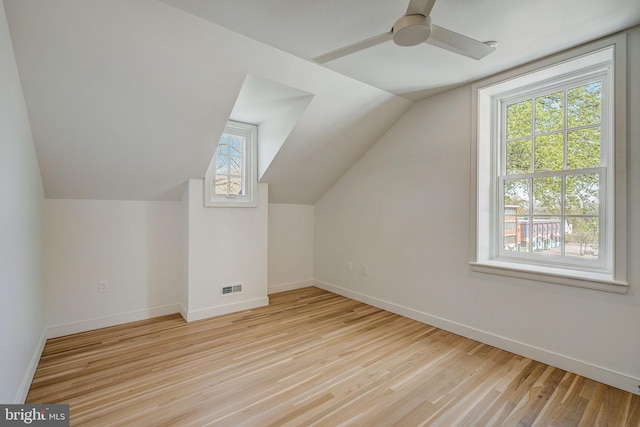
<point x="557" y="132"/>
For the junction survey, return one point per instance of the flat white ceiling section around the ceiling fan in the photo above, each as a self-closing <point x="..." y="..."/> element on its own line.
<point x="524" y="30"/>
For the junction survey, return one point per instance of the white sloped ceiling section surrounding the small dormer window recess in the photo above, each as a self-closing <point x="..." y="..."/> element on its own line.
<point x="127" y="99"/>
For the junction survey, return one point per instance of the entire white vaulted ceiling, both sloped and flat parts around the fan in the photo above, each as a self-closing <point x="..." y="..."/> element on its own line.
<point x="127" y="98"/>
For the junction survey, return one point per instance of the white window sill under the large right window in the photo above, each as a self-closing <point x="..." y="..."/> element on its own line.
<point x="576" y="278"/>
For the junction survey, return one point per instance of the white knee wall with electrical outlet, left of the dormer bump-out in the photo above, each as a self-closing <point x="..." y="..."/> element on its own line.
<point x="134" y="246"/>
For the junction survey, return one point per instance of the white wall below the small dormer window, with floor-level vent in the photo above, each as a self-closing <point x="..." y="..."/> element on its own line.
<point x="225" y="246"/>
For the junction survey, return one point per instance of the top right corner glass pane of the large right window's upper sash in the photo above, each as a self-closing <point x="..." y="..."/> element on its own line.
<point x="585" y="105"/>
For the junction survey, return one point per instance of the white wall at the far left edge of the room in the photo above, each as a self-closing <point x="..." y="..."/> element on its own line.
<point x="21" y="302"/>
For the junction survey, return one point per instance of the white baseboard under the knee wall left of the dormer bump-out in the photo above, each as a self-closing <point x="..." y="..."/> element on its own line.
<point x="116" y="319"/>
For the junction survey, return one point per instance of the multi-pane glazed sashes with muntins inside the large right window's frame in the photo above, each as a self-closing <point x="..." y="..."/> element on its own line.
<point x="553" y="173"/>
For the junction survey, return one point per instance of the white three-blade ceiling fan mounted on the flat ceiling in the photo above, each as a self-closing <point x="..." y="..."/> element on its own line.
<point x="414" y="28"/>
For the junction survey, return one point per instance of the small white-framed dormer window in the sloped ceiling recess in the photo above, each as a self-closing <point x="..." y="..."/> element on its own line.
<point x="232" y="176"/>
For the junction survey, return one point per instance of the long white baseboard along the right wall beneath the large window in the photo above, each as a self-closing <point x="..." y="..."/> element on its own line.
<point x="585" y="369"/>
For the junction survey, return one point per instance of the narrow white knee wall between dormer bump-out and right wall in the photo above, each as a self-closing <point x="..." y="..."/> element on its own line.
<point x="290" y="247"/>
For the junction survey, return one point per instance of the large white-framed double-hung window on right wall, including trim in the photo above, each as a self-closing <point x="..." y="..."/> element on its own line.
<point x="550" y="172"/>
